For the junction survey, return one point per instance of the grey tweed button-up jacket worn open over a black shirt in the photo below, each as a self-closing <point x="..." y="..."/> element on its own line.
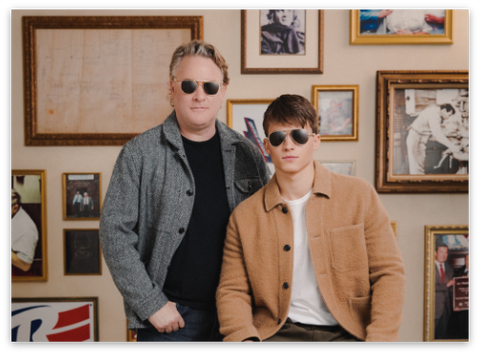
<point x="148" y="205"/>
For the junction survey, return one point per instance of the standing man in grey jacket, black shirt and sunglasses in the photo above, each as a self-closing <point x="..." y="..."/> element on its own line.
<point x="167" y="207"/>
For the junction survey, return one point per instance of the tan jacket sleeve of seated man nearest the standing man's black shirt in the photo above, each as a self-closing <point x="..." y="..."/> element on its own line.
<point x="234" y="300"/>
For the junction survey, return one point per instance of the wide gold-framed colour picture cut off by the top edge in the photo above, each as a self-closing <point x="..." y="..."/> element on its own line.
<point x="401" y="26"/>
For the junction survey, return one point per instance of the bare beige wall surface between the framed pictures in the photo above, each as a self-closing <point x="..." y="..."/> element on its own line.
<point x="344" y="64"/>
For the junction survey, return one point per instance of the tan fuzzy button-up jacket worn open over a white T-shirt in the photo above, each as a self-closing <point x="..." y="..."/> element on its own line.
<point x="356" y="259"/>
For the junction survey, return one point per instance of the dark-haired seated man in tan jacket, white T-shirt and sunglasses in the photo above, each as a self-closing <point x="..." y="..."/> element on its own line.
<point x="311" y="256"/>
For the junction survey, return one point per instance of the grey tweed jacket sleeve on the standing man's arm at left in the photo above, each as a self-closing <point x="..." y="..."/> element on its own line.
<point x="118" y="237"/>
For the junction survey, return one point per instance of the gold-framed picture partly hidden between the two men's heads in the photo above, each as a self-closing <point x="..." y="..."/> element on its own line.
<point x="246" y="117"/>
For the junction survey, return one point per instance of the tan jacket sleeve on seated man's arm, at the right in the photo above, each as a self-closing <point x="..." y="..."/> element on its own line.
<point x="387" y="274"/>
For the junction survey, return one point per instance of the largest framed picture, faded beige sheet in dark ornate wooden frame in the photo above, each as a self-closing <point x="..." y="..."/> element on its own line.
<point x="98" y="80"/>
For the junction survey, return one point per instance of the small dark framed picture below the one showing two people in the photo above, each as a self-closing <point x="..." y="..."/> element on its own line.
<point x="82" y="252"/>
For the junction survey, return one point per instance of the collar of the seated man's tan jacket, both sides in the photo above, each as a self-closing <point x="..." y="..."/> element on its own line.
<point x="321" y="186"/>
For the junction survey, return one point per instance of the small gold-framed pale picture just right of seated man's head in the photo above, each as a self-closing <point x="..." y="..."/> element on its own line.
<point x="337" y="110"/>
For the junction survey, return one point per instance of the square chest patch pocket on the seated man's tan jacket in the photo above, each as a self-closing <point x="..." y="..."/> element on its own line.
<point x="348" y="248"/>
